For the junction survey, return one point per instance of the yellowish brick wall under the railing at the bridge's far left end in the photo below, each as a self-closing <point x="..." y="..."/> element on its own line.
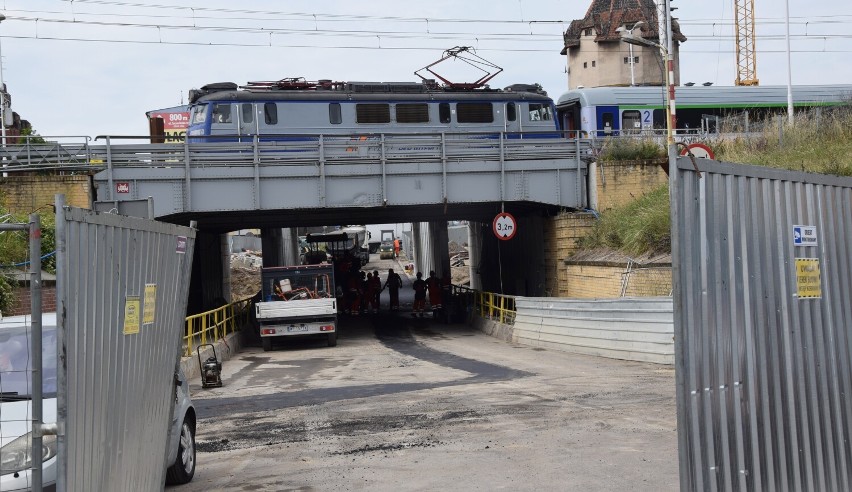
<point x="24" y="194"/>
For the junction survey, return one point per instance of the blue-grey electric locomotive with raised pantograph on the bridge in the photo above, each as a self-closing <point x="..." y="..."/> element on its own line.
<point x="296" y="107"/>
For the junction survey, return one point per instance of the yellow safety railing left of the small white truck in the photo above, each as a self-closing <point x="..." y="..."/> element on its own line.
<point x="213" y="325"/>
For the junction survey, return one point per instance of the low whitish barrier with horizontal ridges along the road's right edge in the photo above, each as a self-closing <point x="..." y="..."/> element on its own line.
<point x="639" y="329"/>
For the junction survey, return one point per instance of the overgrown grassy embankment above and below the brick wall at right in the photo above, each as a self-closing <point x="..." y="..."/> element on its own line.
<point x="643" y="226"/>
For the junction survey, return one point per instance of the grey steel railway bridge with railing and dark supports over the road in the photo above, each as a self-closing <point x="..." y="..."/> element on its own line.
<point x="426" y="180"/>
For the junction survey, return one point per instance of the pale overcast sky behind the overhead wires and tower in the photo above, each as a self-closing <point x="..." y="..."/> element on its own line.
<point x="94" y="67"/>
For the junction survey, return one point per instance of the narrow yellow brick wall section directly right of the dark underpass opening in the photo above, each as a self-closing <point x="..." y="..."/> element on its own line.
<point x="561" y="234"/>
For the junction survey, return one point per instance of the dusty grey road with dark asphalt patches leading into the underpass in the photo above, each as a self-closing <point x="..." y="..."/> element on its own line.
<point x="403" y="403"/>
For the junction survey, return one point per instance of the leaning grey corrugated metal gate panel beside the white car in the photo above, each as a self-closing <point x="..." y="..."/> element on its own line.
<point x="120" y="386"/>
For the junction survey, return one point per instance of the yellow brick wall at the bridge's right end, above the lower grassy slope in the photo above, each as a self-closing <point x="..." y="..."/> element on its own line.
<point x="621" y="182"/>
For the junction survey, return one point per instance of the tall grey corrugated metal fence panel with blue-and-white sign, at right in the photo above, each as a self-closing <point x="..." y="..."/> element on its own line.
<point x="763" y="375"/>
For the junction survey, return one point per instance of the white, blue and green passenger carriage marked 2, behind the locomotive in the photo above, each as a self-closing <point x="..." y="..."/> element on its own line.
<point x="603" y="111"/>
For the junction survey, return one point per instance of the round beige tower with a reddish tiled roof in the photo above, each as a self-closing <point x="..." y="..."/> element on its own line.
<point x="597" y="56"/>
